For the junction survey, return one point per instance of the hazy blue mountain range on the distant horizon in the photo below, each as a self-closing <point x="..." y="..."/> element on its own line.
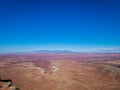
<point x="54" y="51"/>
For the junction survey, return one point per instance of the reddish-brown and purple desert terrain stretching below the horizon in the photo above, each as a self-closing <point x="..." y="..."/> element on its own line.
<point x="71" y="71"/>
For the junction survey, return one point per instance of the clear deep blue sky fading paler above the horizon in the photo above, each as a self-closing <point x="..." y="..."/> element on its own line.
<point x="79" y="25"/>
